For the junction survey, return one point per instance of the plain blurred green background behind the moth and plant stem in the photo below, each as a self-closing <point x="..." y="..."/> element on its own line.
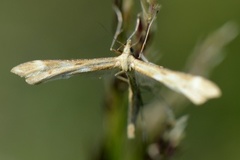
<point x="63" y="119"/>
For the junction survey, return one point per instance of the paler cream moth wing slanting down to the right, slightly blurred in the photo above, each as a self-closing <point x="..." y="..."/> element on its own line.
<point x="195" y="88"/>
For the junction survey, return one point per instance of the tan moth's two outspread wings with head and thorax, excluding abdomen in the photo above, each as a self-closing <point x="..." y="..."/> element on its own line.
<point x="195" y="88"/>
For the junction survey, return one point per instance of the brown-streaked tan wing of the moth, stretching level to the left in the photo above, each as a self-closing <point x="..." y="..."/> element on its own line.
<point x="39" y="71"/>
